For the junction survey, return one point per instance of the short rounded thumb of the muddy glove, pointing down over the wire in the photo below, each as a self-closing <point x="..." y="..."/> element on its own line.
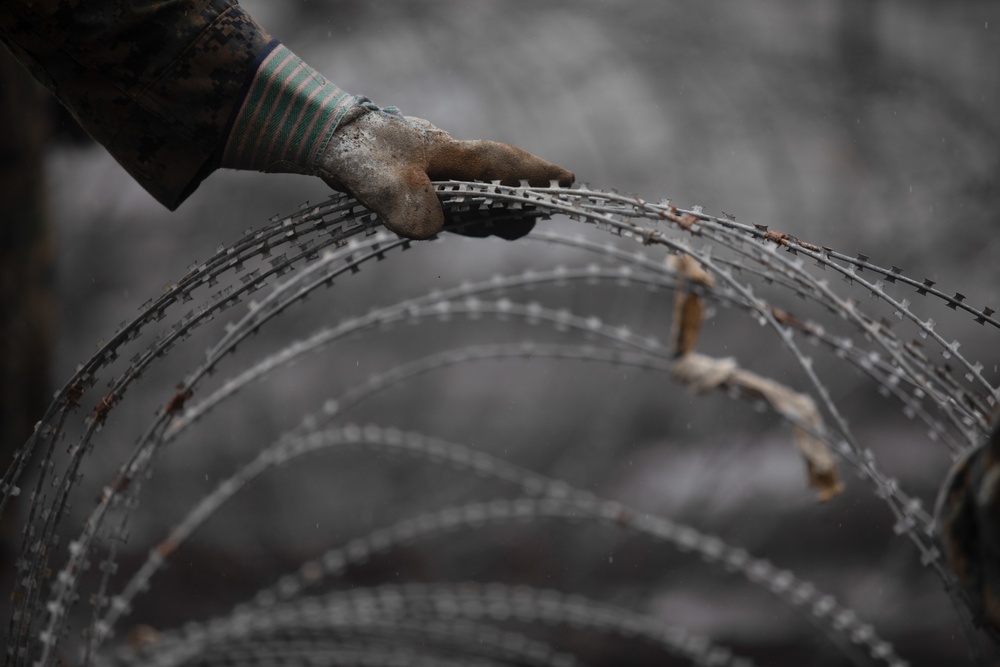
<point x="405" y="201"/>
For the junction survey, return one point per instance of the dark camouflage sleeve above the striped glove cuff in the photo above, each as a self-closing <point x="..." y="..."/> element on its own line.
<point x="155" y="81"/>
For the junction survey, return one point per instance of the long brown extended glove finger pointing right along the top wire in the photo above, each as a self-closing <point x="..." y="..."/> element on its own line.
<point x="491" y="161"/>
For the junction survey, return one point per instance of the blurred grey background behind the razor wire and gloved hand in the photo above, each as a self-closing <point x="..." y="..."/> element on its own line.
<point x="867" y="126"/>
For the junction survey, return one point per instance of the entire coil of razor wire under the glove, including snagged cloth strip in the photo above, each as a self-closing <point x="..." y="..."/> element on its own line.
<point x="320" y="246"/>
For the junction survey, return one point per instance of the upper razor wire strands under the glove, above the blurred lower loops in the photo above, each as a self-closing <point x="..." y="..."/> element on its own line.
<point x="321" y="245"/>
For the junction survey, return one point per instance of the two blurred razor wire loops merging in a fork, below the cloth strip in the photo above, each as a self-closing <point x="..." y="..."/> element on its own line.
<point x="556" y="500"/>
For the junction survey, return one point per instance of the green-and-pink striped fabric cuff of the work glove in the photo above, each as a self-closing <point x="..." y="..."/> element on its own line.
<point x="287" y="117"/>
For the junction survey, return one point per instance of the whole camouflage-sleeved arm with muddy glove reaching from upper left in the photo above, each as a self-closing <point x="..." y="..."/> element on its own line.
<point x="175" y="90"/>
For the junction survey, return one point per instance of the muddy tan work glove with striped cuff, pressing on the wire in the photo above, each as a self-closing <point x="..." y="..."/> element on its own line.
<point x="293" y="120"/>
